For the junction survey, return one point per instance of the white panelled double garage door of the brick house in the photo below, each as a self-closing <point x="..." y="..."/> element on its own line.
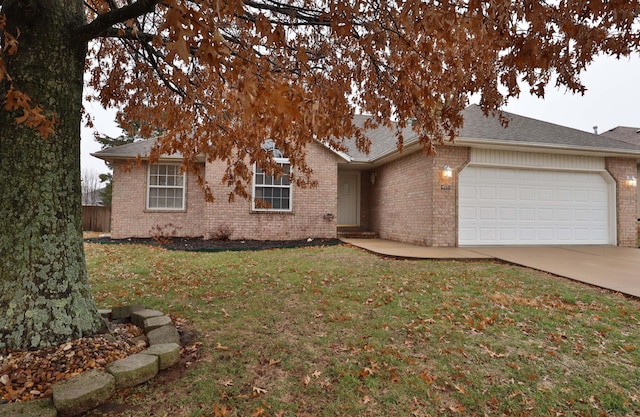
<point x="499" y="206"/>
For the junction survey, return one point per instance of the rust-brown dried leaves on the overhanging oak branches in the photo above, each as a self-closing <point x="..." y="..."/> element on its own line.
<point x="221" y="77"/>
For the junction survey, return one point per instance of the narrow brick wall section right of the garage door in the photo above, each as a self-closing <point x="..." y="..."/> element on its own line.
<point x="626" y="200"/>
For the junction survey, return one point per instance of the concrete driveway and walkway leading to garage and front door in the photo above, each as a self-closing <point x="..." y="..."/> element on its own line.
<point x="610" y="267"/>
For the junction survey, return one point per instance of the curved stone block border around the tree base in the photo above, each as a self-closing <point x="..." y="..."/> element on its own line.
<point x="95" y="387"/>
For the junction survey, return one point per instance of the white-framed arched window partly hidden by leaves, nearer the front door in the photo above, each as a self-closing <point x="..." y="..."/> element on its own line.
<point x="271" y="193"/>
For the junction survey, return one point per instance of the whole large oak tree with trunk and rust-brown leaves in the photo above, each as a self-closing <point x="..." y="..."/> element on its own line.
<point x="222" y="76"/>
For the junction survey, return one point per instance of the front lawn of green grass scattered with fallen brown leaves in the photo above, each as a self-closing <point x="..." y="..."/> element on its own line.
<point x="339" y="332"/>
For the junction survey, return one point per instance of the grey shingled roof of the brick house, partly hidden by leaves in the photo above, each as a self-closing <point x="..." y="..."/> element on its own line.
<point x="478" y="131"/>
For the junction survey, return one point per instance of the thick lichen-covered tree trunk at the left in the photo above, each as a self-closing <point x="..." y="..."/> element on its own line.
<point x="44" y="291"/>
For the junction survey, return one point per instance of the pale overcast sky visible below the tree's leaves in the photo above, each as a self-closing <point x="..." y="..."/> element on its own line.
<point x="612" y="99"/>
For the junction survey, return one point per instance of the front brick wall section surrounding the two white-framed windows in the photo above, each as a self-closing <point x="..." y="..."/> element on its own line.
<point x="307" y="219"/>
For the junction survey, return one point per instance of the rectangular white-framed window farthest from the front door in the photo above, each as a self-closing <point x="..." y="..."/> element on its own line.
<point x="166" y="187"/>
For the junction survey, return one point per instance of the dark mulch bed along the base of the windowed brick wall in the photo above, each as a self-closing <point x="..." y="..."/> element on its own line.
<point x="214" y="245"/>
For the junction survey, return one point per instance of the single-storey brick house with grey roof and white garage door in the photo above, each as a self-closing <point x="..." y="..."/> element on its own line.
<point x="531" y="183"/>
